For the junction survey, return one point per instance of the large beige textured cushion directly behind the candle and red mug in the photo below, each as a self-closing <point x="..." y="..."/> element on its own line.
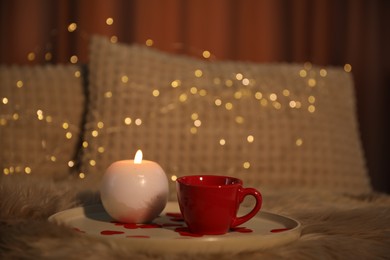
<point x="272" y="125"/>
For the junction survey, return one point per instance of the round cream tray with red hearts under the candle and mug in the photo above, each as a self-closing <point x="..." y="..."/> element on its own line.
<point x="168" y="232"/>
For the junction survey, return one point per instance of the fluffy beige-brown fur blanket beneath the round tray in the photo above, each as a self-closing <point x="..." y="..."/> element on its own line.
<point x="334" y="226"/>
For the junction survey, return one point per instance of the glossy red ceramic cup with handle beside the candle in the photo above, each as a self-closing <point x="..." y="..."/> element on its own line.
<point x="209" y="203"/>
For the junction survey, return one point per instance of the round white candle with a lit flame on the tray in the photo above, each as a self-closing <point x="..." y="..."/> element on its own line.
<point x="134" y="191"/>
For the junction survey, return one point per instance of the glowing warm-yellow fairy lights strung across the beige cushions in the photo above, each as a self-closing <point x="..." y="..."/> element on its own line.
<point x="264" y="99"/>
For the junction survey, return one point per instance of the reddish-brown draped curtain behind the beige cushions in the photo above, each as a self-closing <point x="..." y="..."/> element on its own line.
<point x="323" y="32"/>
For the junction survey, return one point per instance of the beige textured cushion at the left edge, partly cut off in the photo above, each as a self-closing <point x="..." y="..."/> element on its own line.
<point x="40" y="119"/>
